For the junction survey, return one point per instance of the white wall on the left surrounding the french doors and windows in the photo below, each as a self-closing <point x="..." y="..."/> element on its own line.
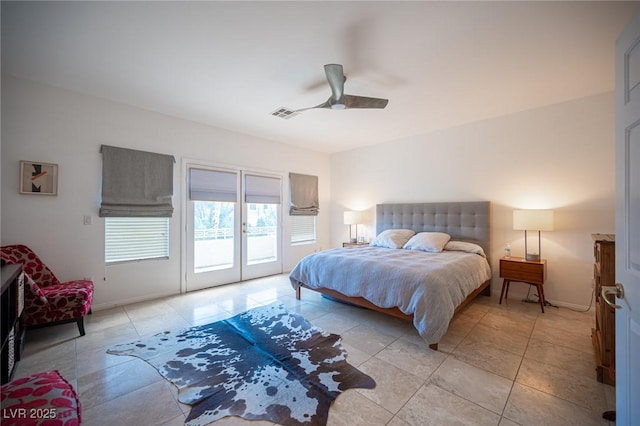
<point x="42" y="123"/>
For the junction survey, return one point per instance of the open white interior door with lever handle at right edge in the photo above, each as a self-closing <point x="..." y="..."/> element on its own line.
<point x="628" y="223"/>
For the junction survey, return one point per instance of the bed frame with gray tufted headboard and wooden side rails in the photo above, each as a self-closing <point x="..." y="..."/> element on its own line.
<point x="464" y="221"/>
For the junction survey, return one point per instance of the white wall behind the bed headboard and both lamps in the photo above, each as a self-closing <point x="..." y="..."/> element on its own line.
<point x="559" y="157"/>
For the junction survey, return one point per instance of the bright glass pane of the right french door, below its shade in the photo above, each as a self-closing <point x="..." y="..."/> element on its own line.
<point x="262" y="228"/>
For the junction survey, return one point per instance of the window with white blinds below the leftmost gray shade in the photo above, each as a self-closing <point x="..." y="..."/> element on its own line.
<point x="136" y="238"/>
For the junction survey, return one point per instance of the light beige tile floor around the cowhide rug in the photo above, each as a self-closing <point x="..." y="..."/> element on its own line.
<point x="497" y="365"/>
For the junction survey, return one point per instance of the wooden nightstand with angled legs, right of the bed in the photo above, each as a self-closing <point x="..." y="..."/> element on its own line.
<point x="532" y="272"/>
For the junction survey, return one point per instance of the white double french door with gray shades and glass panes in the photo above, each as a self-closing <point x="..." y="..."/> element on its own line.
<point x="233" y="226"/>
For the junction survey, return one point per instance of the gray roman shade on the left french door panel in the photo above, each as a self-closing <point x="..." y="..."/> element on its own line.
<point x="213" y="185"/>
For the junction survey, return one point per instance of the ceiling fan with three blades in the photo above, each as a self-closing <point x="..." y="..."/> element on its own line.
<point x="338" y="100"/>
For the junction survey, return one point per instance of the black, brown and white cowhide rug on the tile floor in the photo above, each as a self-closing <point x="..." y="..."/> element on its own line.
<point x="264" y="364"/>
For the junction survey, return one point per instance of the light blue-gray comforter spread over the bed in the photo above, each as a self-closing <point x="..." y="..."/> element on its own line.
<point x="427" y="285"/>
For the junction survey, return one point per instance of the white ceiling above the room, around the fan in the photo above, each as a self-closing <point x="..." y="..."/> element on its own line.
<point x="230" y="64"/>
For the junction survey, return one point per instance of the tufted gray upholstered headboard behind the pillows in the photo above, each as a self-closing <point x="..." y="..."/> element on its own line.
<point x="464" y="221"/>
